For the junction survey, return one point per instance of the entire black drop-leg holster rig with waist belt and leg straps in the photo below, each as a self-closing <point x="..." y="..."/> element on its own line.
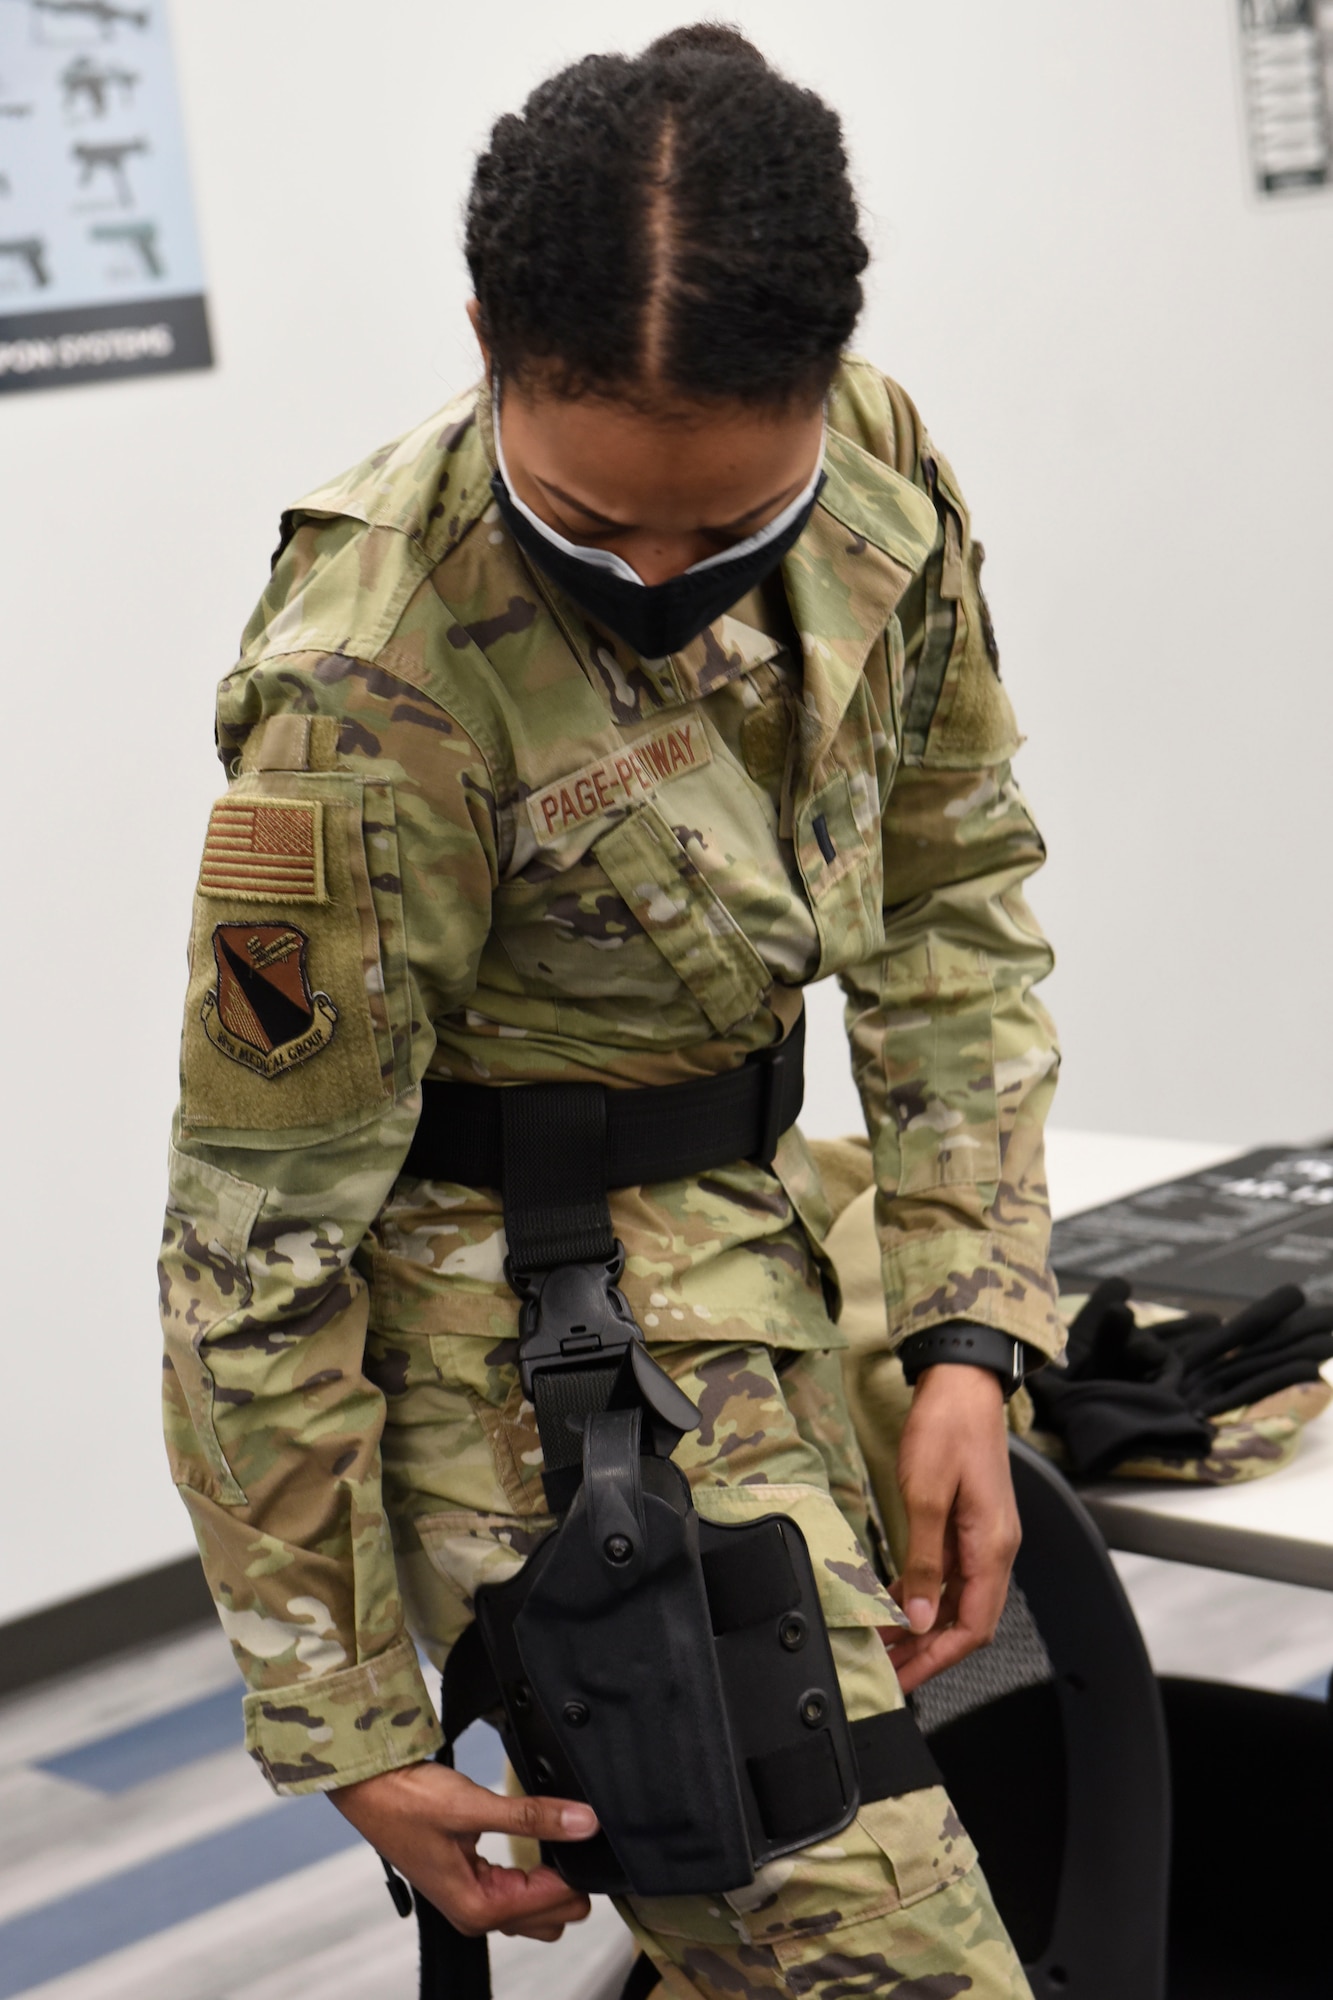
<point x="674" y="1673"/>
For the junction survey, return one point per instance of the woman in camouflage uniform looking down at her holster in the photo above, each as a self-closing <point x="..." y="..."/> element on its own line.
<point x="573" y="737"/>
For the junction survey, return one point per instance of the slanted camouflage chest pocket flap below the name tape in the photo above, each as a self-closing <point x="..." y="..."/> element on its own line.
<point x="684" y="915"/>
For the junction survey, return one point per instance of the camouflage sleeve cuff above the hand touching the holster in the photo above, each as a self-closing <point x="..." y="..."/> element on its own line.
<point x="337" y="1729"/>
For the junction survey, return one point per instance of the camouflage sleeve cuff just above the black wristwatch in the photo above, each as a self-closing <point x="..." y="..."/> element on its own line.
<point x="960" y="1275"/>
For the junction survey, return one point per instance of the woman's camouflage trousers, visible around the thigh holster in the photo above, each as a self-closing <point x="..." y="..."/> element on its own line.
<point x="898" y="1903"/>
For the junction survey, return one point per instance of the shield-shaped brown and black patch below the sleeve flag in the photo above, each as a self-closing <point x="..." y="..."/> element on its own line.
<point x="261" y="1013"/>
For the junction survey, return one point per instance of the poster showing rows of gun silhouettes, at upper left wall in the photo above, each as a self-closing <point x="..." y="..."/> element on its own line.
<point x="101" y="273"/>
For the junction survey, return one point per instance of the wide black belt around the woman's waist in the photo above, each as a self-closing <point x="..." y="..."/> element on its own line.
<point x="663" y="1133"/>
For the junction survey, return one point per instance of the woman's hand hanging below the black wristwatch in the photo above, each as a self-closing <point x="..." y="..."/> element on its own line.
<point x="962" y="1521"/>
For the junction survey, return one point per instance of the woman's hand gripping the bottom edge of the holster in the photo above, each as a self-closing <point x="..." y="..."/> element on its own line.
<point x="425" y="1821"/>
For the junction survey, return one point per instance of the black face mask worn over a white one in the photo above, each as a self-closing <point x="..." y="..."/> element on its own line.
<point x="651" y="619"/>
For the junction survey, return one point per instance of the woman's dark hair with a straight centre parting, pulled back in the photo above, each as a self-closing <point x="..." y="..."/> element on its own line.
<point x="670" y="227"/>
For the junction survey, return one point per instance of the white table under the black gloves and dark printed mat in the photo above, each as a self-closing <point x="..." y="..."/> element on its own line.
<point x="1280" y="1527"/>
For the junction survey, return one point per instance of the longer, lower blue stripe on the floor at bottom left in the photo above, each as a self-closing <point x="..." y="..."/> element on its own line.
<point x="59" y="1937"/>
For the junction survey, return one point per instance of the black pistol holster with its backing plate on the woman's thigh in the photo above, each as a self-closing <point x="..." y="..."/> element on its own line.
<point x="674" y="1673"/>
